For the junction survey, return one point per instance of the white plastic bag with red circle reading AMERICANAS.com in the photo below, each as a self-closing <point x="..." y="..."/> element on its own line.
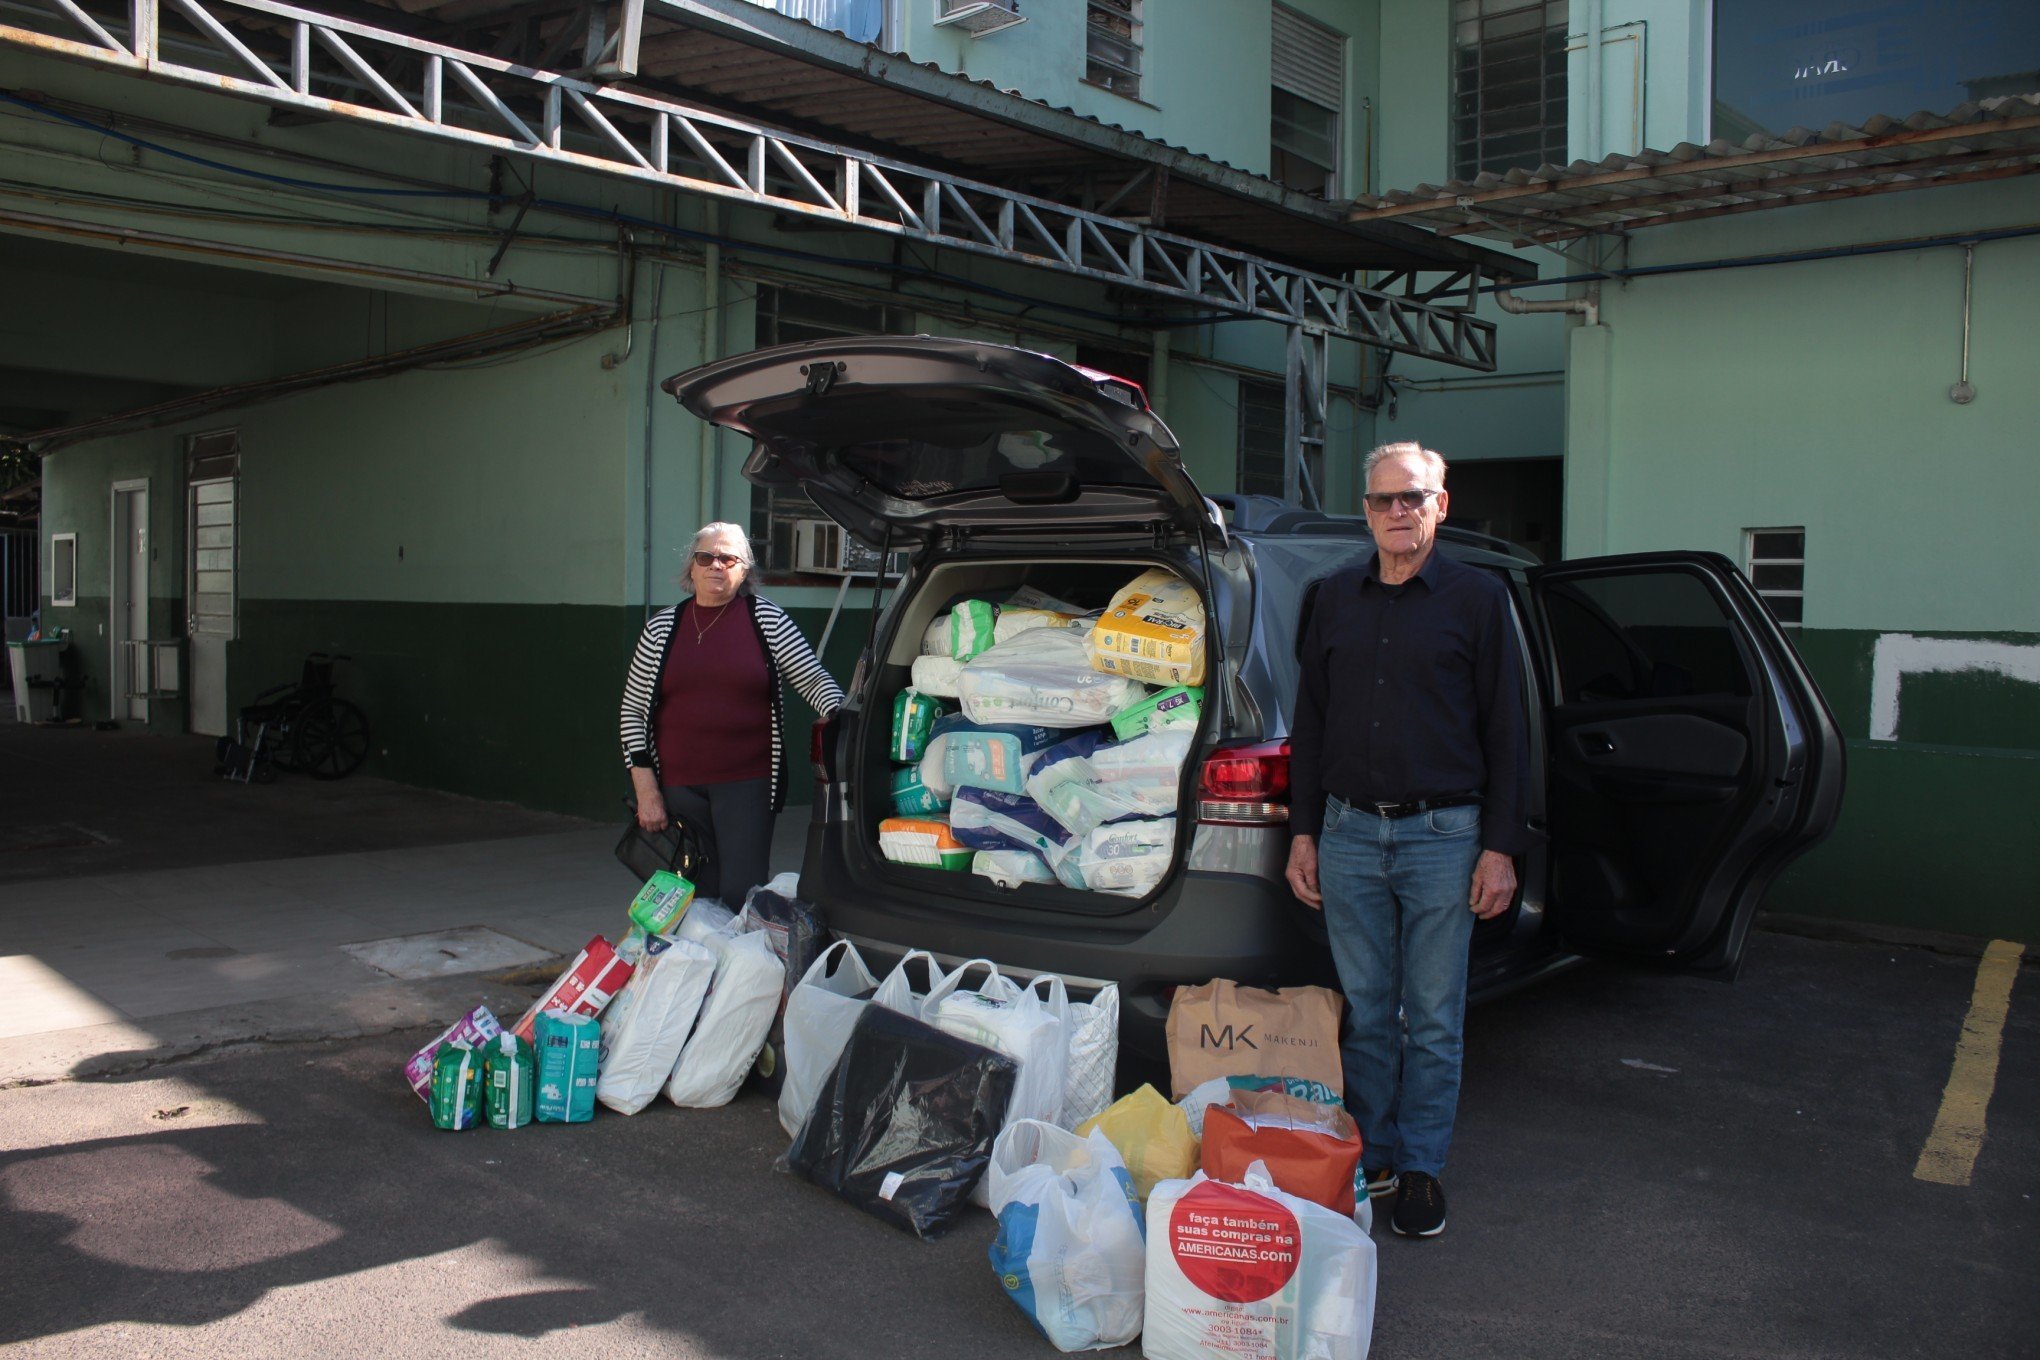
<point x="1254" y="1271"/>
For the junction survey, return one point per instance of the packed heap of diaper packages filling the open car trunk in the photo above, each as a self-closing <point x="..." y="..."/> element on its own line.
<point x="1031" y="747"/>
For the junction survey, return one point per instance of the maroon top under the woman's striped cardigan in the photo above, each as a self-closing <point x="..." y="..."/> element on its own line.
<point x="715" y="698"/>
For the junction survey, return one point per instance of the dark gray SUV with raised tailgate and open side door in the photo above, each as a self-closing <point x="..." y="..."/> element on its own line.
<point x="1682" y="751"/>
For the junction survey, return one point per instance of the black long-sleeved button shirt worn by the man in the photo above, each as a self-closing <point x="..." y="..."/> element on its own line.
<point x="1413" y="692"/>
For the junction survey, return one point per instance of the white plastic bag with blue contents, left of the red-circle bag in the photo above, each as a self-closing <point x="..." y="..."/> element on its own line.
<point x="1072" y="1251"/>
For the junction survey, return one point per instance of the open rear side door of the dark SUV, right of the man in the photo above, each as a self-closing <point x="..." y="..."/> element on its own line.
<point x="1690" y="755"/>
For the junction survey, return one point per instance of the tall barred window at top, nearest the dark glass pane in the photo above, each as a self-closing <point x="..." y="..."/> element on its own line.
<point x="1509" y="85"/>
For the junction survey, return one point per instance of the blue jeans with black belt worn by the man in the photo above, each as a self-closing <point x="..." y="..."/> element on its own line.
<point x="1396" y="910"/>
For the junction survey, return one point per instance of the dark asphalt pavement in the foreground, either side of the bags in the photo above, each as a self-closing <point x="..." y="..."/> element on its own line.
<point x="1647" y="1167"/>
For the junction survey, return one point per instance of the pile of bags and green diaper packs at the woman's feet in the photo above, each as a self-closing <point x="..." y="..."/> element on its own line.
<point x="684" y="1002"/>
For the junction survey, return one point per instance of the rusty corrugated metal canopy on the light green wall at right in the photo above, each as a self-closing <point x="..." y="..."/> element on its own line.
<point x="1994" y="140"/>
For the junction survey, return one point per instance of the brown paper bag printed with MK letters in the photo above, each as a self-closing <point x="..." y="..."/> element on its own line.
<point x="1231" y="1031"/>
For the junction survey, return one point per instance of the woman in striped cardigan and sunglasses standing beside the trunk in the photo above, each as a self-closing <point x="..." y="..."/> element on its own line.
<point x="703" y="721"/>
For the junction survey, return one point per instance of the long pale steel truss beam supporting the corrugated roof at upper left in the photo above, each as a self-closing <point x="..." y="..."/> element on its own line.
<point x="297" y="58"/>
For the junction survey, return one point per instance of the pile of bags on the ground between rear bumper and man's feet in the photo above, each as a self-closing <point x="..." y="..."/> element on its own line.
<point x="1229" y="1222"/>
